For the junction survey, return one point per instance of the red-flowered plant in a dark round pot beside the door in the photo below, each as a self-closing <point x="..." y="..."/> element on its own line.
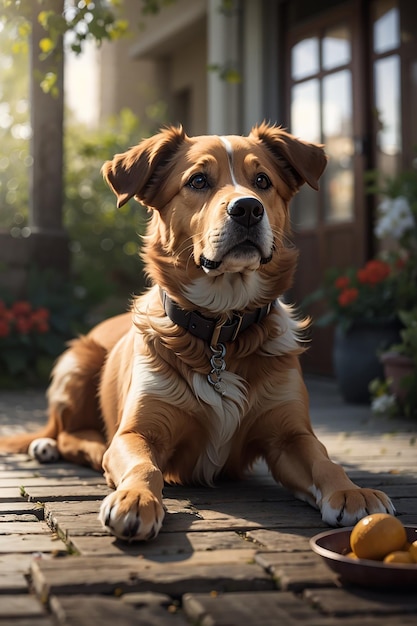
<point x="362" y="305"/>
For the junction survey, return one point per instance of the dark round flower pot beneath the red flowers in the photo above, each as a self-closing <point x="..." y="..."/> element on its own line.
<point x="356" y="357"/>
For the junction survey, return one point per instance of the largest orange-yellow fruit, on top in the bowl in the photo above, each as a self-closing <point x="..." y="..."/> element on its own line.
<point x="377" y="535"/>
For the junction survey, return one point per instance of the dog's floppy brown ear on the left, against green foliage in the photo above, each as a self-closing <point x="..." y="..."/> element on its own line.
<point x="130" y="173"/>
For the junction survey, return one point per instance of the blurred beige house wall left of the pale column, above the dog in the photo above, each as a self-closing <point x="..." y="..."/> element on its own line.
<point x="161" y="74"/>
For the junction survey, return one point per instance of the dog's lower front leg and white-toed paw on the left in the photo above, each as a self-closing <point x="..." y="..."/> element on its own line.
<point x="134" y="511"/>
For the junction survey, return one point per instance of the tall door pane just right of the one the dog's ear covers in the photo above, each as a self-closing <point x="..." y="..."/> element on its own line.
<point x="337" y="137"/>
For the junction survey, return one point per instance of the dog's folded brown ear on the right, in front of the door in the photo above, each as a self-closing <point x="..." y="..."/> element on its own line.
<point x="307" y="160"/>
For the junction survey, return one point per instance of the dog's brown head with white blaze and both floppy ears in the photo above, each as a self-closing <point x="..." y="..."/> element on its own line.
<point x="220" y="209"/>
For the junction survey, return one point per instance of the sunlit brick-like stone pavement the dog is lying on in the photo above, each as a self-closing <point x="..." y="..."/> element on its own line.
<point x="236" y="554"/>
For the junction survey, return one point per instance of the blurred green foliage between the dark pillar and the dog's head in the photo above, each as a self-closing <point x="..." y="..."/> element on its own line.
<point x="104" y="240"/>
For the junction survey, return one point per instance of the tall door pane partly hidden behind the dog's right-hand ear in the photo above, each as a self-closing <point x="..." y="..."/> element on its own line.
<point x="305" y="123"/>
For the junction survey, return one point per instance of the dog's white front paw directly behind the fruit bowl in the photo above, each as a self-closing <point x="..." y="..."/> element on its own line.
<point x="346" y="507"/>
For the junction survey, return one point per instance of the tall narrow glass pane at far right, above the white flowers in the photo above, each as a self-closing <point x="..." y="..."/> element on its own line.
<point x="387" y="103"/>
